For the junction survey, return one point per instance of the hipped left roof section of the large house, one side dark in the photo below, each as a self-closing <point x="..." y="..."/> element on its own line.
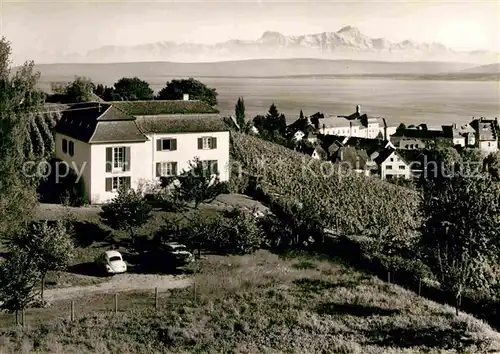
<point x="94" y="122"/>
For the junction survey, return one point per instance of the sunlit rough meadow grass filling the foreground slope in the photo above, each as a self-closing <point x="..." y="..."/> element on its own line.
<point x="262" y="303"/>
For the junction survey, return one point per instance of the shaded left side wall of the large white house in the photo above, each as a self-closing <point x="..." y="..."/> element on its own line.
<point x="80" y="161"/>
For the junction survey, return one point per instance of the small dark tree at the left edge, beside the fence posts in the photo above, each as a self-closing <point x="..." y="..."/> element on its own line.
<point x="18" y="278"/>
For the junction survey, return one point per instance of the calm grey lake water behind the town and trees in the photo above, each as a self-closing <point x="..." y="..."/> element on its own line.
<point x="409" y="101"/>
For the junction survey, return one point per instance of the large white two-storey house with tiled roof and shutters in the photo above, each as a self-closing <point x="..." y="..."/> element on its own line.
<point x="132" y="142"/>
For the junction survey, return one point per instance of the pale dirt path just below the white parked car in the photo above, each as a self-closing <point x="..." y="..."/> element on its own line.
<point x="120" y="283"/>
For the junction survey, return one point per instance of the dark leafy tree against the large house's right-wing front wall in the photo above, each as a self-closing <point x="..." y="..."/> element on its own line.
<point x="199" y="184"/>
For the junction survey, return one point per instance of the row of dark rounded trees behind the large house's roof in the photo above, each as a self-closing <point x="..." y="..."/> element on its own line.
<point x="82" y="89"/>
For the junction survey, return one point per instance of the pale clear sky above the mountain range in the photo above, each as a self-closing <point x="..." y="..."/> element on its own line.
<point x="35" y="26"/>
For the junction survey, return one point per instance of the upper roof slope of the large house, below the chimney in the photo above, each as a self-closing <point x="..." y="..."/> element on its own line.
<point x="163" y="107"/>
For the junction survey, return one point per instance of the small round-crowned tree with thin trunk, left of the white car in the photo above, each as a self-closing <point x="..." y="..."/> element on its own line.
<point x="50" y="247"/>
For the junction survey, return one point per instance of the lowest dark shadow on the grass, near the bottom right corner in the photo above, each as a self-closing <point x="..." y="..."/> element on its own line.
<point x="456" y="337"/>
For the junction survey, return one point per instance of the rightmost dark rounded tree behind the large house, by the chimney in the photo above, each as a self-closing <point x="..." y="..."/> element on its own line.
<point x="196" y="90"/>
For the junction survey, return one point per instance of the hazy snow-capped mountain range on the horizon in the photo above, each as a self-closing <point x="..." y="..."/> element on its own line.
<point x="347" y="43"/>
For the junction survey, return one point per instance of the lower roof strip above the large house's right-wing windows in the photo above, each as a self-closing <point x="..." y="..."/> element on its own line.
<point x="181" y="123"/>
